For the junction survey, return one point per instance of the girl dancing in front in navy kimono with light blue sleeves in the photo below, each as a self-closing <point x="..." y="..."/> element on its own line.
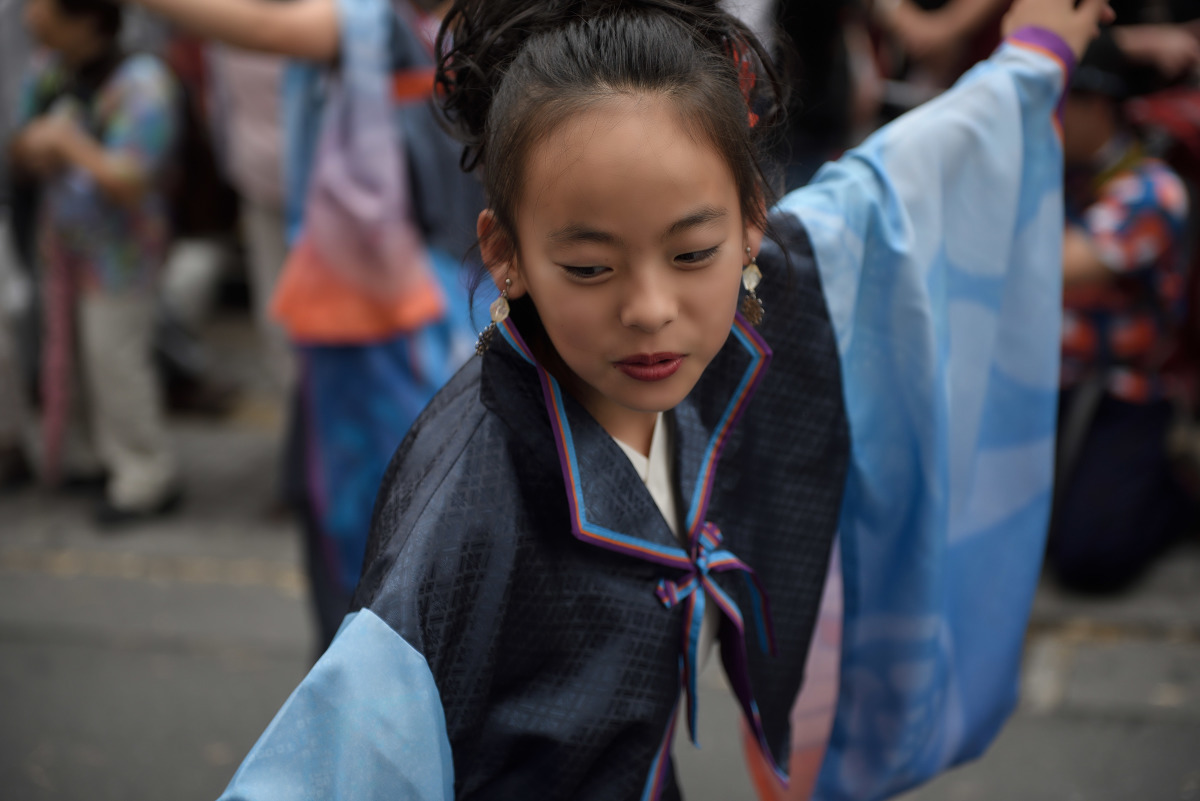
<point x="633" y="474"/>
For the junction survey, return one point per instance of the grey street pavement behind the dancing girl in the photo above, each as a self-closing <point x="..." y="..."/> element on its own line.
<point x="143" y="666"/>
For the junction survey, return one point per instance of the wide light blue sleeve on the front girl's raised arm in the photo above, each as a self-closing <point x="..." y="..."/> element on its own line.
<point x="939" y="244"/>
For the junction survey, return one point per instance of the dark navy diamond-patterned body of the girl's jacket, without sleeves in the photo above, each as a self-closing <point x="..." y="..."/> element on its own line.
<point x="556" y="663"/>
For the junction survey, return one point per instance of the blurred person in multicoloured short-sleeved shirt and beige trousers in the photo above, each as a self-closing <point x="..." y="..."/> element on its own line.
<point x="97" y="136"/>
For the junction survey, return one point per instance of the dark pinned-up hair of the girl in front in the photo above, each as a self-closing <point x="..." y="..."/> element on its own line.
<point x="514" y="70"/>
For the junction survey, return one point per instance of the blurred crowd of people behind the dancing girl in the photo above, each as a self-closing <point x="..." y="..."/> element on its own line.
<point x="158" y="152"/>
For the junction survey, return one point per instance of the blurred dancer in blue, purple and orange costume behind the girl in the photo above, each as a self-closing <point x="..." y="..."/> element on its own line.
<point x="376" y="338"/>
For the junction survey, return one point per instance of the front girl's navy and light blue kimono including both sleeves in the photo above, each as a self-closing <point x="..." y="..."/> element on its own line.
<point x="527" y="627"/>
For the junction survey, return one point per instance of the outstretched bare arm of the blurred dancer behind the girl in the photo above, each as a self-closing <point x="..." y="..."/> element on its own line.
<point x="303" y="29"/>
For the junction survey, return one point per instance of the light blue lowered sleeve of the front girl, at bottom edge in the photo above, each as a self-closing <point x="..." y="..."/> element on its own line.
<point x="365" y="725"/>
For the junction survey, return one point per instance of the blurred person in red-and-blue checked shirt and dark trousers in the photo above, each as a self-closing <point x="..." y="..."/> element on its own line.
<point x="1125" y="257"/>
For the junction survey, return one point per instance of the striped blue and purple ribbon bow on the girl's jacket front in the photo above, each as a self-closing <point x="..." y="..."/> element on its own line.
<point x="692" y="589"/>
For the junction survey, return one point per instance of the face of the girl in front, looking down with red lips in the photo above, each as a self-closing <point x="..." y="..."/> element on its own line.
<point x="632" y="245"/>
